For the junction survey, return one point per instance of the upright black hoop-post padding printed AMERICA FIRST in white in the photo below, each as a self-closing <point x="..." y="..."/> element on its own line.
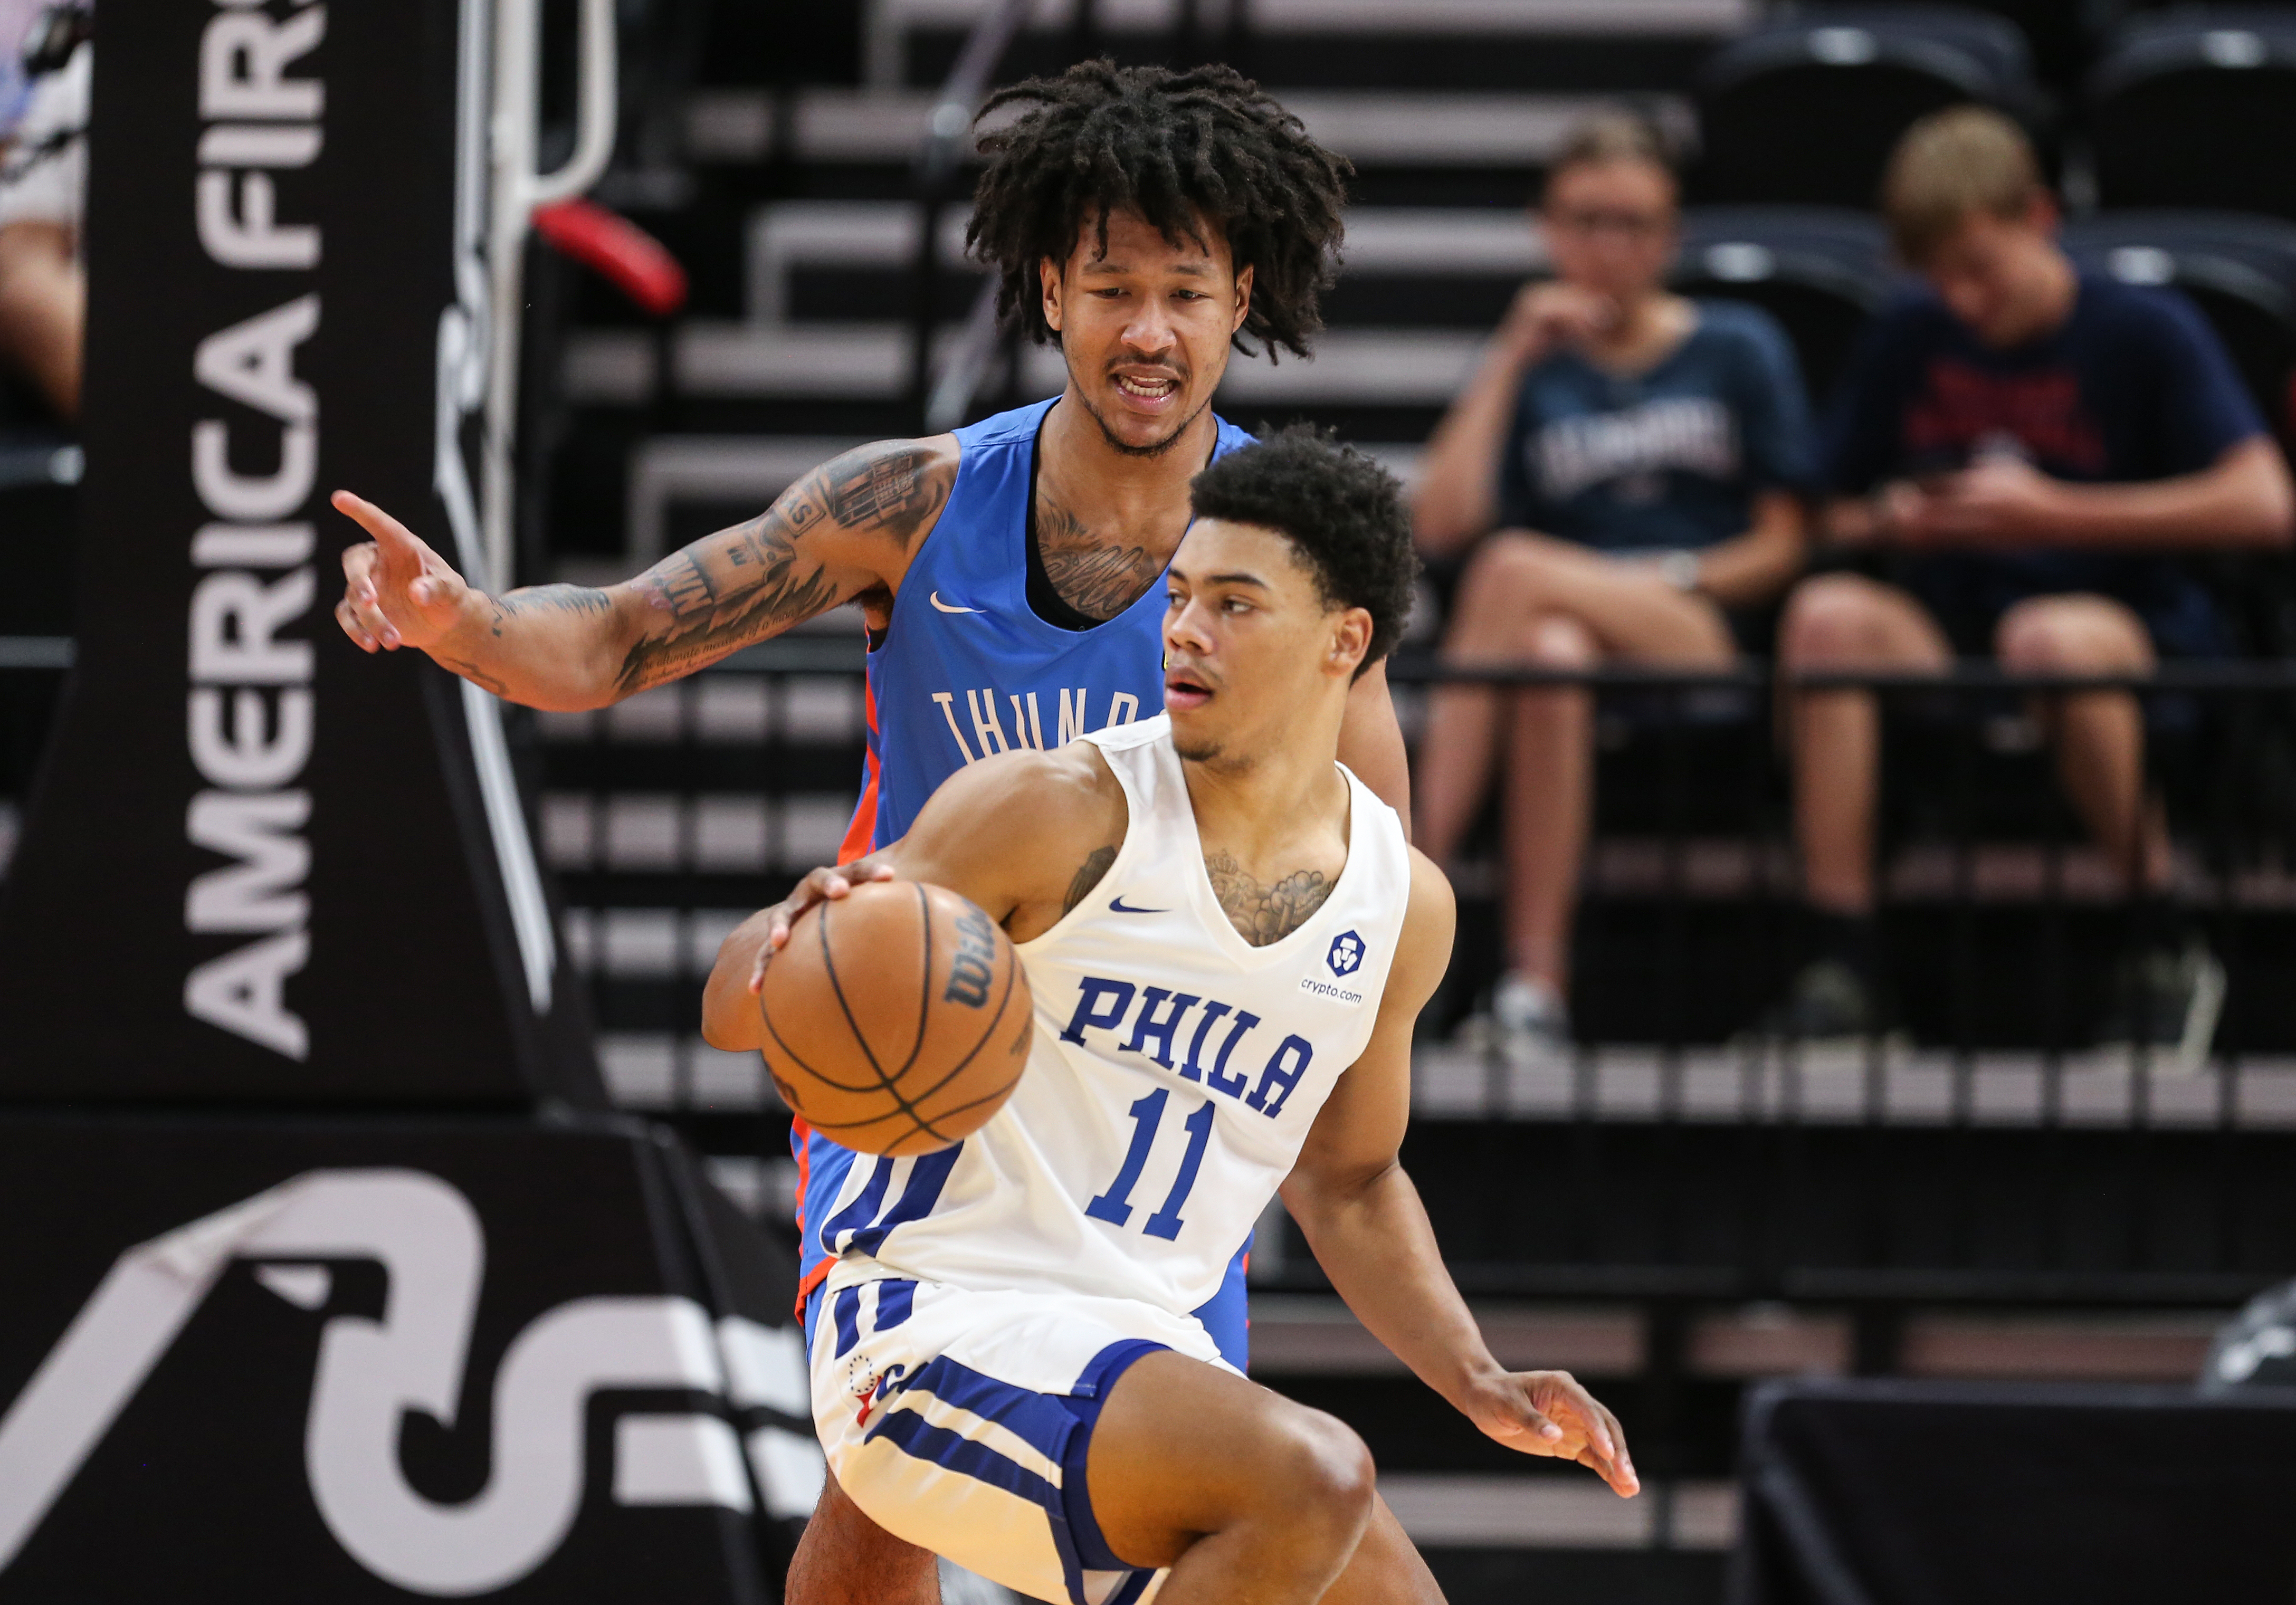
<point x="261" y="864"/>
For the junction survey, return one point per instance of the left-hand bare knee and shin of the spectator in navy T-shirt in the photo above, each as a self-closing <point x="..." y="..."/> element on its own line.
<point x="1845" y="621"/>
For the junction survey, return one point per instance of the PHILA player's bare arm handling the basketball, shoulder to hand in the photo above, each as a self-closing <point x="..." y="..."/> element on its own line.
<point x="1023" y="835"/>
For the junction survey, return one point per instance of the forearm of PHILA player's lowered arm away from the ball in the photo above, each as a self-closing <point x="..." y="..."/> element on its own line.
<point x="1376" y="1246"/>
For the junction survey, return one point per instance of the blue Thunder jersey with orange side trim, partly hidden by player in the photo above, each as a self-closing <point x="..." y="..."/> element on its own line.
<point x="968" y="669"/>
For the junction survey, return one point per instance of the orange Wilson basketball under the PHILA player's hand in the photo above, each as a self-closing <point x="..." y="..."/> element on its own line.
<point x="897" y="1021"/>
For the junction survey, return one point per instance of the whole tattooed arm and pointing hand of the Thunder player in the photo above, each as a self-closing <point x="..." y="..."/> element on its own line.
<point x="839" y="534"/>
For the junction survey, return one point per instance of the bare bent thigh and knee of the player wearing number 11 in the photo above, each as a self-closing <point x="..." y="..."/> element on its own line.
<point x="1186" y="1450"/>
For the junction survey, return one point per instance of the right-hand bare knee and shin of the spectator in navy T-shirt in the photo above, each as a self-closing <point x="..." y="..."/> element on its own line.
<point x="2100" y="734"/>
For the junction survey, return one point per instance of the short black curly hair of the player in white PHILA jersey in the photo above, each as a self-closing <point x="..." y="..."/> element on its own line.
<point x="1342" y="511"/>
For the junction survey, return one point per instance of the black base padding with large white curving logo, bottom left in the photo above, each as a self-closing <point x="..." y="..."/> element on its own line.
<point x="389" y="1360"/>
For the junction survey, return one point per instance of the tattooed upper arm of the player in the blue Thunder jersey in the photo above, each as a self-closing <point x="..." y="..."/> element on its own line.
<point x="837" y="534"/>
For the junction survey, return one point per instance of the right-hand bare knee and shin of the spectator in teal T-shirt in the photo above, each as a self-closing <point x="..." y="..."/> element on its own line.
<point x="1549" y="791"/>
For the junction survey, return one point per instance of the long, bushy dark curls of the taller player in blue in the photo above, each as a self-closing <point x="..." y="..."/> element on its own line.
<point x="1184" y="150"/>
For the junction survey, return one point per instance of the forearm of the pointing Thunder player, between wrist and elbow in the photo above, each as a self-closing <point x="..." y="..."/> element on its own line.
<point x="543" y="646"/>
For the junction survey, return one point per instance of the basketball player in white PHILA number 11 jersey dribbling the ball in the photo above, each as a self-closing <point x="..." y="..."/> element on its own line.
<point x="1230" y="940"/>
